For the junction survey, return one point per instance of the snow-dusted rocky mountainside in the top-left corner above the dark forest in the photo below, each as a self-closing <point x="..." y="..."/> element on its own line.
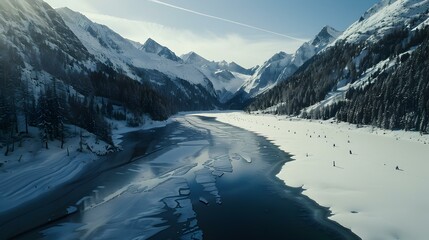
<point x="44" y="46"/>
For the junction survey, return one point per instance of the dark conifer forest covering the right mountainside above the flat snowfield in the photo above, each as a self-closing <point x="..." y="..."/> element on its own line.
<point x="395" y="97"/>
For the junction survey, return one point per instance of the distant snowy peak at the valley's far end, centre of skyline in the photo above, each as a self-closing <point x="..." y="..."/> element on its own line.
<point x="226" y="77"/>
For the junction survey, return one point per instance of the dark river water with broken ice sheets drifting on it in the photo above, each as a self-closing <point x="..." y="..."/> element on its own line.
<point x="190" y="180"/>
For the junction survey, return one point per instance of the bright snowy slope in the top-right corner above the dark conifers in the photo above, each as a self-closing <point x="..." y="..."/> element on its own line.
<point x="385" y="17"/>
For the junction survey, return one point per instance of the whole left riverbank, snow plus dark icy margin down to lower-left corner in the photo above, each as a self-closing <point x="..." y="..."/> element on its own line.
<point x="32" y="175"/>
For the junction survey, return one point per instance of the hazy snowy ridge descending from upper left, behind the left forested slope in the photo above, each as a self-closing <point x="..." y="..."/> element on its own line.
<point x="111" y="48"/>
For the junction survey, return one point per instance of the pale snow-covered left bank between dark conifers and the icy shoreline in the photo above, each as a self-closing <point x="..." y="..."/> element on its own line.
<point x="31" y="170"/>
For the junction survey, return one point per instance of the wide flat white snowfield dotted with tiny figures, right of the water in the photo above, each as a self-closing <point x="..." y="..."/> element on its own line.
<point x="364" y="190"/>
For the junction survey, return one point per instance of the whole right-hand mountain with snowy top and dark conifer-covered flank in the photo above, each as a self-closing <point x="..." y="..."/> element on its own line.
<point x="374" y="73"/>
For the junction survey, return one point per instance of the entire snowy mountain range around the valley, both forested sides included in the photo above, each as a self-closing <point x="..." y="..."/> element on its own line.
<point x="353" y="75"/>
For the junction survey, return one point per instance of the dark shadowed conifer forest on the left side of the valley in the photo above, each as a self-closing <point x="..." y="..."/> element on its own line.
<point x="54" y="105"/>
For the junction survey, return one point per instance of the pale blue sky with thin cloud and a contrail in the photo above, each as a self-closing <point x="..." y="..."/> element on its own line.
<point x="245" y="31"/>
